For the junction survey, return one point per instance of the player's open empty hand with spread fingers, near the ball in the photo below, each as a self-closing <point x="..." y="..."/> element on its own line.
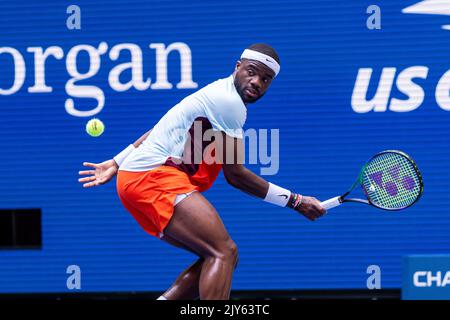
<point x="103" y="172"/>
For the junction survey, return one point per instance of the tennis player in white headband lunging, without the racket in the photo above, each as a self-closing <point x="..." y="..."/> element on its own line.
<point x="160" y="177"/>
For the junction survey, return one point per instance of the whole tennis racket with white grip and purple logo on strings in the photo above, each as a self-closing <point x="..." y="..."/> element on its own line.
<point x="390" y="180"/>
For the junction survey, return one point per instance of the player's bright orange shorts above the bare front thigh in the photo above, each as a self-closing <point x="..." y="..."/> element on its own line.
<point x="150" y="195"/>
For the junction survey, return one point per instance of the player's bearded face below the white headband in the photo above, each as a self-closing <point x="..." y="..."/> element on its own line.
<point x="252" y="79"/>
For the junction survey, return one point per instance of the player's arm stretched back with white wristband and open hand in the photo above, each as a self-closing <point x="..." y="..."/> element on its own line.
<point x="105" y="171"/>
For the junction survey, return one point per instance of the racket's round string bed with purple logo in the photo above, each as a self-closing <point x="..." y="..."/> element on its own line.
<point x="390" y="180"/>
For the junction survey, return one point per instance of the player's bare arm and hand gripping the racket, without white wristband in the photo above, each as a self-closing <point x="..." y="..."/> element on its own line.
<point x="245" y="180"/>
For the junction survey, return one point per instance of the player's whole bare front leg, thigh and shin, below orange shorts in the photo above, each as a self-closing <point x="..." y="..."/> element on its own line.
<point x="196" y="224"/>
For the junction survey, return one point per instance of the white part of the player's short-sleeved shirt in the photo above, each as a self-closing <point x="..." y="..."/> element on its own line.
<point x="218" y="104"/>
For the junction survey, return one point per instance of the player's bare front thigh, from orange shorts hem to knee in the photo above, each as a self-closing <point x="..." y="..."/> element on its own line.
<point x="196" y="224"/>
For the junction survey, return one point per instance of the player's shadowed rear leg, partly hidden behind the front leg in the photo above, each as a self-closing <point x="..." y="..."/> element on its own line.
<point x="186" y="286"/>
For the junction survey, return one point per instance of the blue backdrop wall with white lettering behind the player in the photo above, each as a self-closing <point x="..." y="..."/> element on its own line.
<point x="324" y="138"/>
